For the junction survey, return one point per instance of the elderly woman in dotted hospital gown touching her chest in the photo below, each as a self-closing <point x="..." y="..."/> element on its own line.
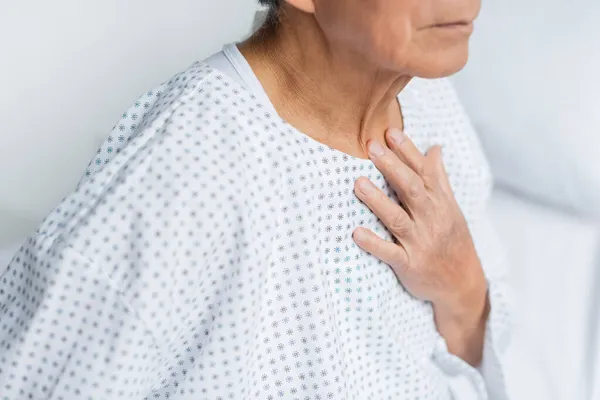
<point x="300" y="216"/>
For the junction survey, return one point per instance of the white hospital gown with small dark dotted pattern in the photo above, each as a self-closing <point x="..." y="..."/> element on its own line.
<point x="208" y="255"/>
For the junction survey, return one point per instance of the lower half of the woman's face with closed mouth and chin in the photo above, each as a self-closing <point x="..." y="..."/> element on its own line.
<point x="424" y="38"/>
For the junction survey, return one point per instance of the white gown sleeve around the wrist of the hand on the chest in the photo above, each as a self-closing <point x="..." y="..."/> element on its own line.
<point x="488" y="378"/>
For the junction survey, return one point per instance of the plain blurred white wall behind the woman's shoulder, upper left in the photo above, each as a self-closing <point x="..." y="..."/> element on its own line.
<point x="69" y="68"/>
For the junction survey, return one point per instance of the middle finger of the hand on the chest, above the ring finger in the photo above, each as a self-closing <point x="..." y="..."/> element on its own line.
<point x="407" y="184"/>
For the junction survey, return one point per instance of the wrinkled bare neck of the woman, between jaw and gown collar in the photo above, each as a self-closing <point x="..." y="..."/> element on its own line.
<point x="330" y="94"/>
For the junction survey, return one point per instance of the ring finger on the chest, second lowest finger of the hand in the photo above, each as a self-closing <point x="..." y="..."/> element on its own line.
<point x="391" y="214"/>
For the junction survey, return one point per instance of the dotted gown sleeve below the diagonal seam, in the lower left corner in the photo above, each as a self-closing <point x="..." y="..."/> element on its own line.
<point x="67" y="333"/>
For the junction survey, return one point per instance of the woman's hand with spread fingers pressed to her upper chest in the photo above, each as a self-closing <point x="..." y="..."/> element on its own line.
<point x="434" y="256"/>
